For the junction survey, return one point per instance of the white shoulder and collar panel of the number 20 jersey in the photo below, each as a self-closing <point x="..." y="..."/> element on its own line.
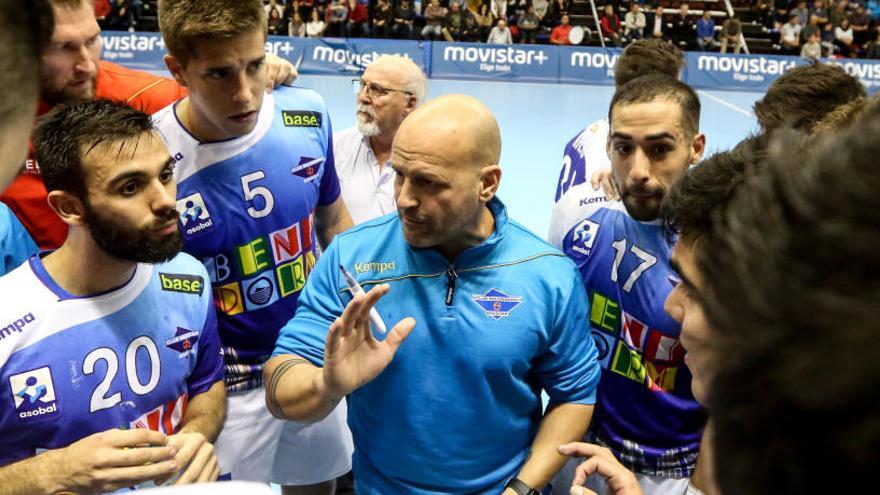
<point x="22" y="293"/>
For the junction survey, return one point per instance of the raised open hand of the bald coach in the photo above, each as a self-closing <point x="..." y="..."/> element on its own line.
<point x="353" y="357"/>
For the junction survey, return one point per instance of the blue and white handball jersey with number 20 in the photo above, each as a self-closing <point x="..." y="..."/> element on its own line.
<point x="127" y="358"/>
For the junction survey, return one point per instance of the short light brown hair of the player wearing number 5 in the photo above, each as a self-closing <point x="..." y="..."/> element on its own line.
<point x="185" y="22"/>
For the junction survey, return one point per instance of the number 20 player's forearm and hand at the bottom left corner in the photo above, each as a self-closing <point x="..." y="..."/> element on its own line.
<point x="99" y="463"/>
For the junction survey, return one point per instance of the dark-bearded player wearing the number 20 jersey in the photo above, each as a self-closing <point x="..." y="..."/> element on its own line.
<point x="110" y="347"/>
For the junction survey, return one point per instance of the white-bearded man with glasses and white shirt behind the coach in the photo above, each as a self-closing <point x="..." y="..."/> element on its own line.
<point x="390" y="89"/>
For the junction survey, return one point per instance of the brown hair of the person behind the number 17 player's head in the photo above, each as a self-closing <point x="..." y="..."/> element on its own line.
<point x="650" y="56"/>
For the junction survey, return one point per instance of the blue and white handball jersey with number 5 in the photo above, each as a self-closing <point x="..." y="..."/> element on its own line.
<point x="247" y="212"/>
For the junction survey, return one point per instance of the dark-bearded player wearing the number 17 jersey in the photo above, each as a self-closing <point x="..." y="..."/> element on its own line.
<point x="646" y="413"/>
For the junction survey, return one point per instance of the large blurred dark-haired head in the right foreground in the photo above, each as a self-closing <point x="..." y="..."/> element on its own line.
<point x="793" y="291"/>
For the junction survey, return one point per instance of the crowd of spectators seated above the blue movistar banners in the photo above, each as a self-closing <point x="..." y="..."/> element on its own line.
<point x="811" y="29"/>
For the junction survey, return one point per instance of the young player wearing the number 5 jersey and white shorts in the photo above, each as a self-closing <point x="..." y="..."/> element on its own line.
<point x="256" y="186"/>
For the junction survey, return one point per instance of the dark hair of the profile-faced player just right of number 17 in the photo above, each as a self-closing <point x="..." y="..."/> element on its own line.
<point x="691" y="208"/>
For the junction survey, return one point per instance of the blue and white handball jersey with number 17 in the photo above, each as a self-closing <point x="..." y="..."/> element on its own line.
<point x="645" y="410"/>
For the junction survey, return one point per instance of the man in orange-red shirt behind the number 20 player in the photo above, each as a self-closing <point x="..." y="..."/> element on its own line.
<point x="71" y="70"/>
